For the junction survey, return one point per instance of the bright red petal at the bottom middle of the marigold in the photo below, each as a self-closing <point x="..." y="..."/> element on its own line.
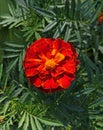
<point x="50" y="84"/>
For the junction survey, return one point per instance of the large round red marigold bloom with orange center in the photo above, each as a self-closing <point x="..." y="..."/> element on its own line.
<point x="50" y="64"/>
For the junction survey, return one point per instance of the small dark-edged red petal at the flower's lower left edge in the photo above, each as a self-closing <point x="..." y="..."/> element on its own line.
<point x="35" y="81"/>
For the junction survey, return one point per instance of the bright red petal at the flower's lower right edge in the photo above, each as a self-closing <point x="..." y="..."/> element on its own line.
<point x="65" y="81"/>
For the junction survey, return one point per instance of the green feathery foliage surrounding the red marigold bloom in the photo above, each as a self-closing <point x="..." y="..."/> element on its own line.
<point x="23" y="107"/>
